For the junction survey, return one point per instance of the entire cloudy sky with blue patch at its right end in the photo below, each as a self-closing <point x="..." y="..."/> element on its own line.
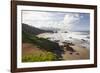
<point x="70" y="21"/>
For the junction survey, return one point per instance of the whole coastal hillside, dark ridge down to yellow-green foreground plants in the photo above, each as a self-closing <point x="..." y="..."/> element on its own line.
<point x="51" y="49"/>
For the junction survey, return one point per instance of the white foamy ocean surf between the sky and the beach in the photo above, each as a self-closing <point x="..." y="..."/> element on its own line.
<point x="81" y="38"/>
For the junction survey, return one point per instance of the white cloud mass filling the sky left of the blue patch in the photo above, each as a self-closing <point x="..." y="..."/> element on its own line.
<point x="64" y="21"/>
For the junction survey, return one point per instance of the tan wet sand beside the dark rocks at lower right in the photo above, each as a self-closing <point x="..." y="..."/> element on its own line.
<point x="79" y="54"/>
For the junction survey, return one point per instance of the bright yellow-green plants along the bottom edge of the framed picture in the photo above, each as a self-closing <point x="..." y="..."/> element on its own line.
<point x="40" y="56"/>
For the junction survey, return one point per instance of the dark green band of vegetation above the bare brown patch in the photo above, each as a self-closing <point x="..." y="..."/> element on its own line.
<point x="40" y="42"/>
